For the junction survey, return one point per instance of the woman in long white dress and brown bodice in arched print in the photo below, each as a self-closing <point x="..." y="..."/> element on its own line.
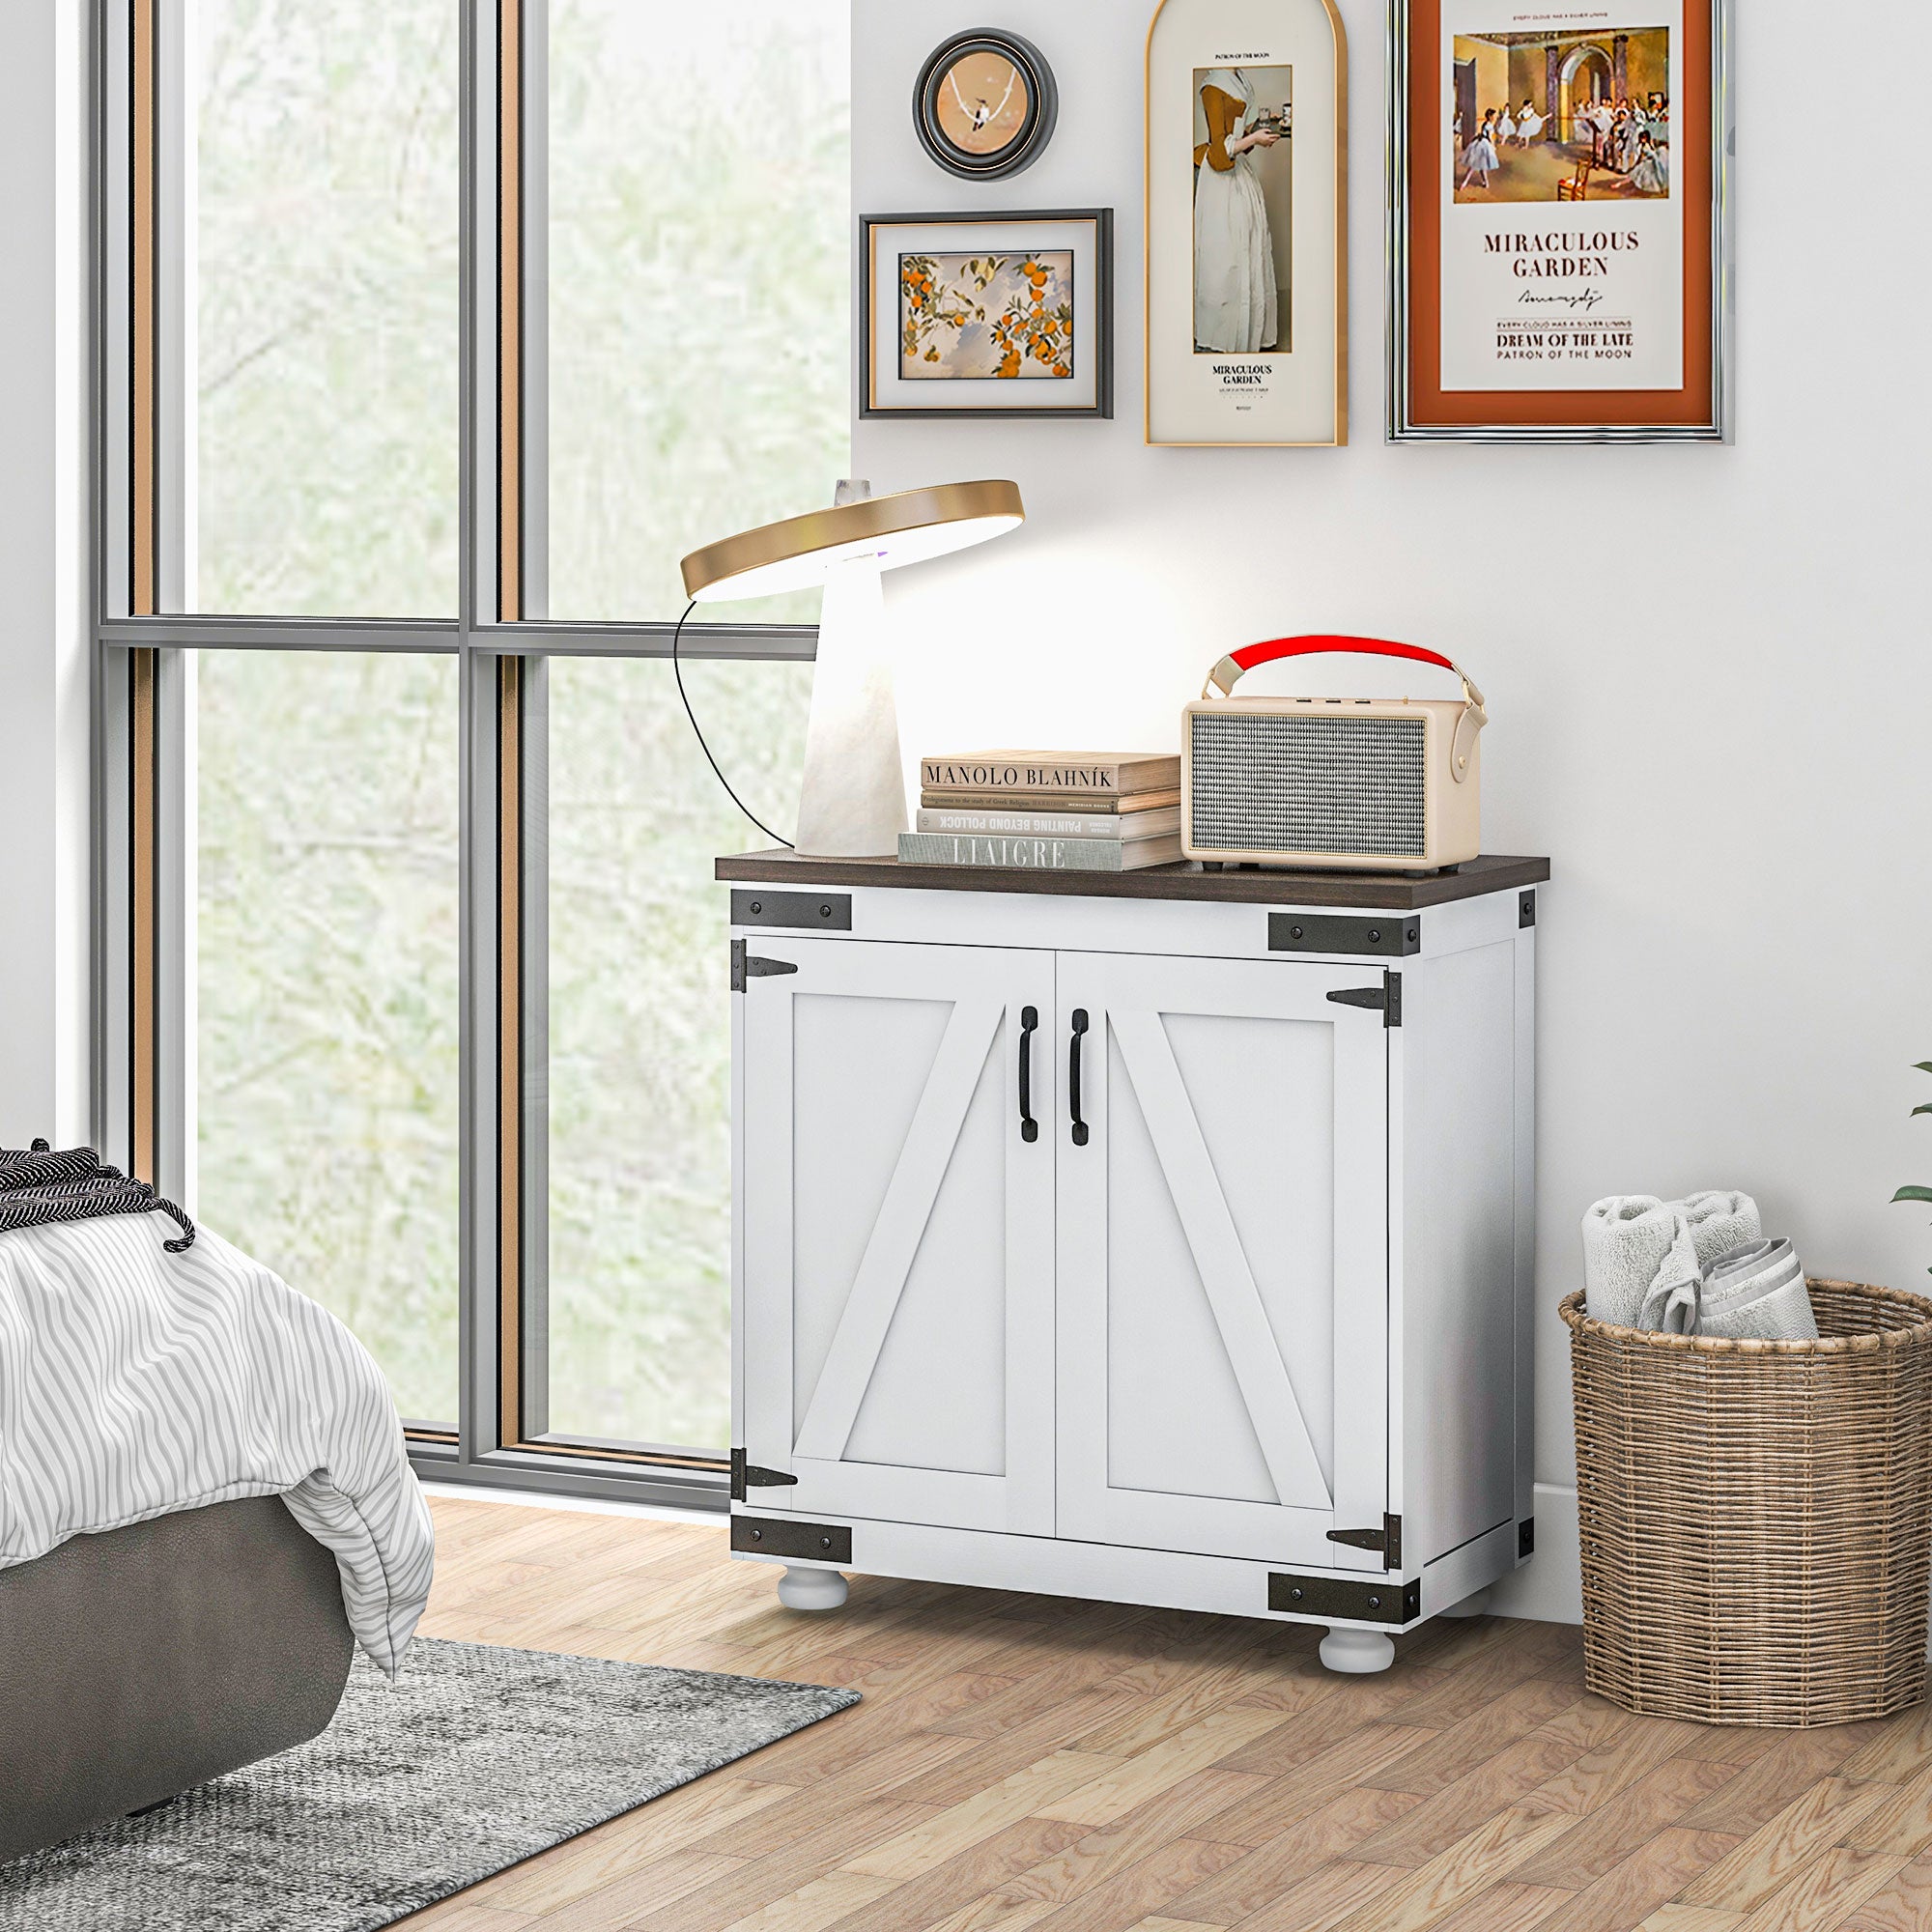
<point x="1237" y="306"/>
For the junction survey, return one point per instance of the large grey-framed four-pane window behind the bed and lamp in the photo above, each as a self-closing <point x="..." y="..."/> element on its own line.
<point x="412" y="957"/>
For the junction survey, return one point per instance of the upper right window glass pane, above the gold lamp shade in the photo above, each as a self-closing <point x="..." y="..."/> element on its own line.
<point x="700" y="297"/>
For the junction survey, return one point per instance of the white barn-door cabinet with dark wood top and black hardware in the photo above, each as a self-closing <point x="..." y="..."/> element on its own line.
<point x="1160" y="1239"/>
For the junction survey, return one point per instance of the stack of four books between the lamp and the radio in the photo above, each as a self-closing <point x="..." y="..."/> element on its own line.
<point x="1048" y="812"/>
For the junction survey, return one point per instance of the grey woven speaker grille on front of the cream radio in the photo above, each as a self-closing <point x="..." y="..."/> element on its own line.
<point x="1272" y="783"/>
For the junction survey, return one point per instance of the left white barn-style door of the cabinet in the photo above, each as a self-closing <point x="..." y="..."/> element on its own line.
<point x="897" y="1234"/>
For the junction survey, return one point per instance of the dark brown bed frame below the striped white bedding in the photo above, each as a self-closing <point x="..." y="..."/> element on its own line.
<point x="142" y="1662"/>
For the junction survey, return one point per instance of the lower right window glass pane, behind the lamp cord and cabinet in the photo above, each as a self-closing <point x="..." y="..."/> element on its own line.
<point x="640" y="1033"/>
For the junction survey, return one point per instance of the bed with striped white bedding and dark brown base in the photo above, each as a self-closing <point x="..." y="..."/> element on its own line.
<point x="206" y="1504"/>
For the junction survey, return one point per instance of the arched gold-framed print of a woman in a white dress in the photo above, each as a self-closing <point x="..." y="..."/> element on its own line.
<point x="1247" y="223"/>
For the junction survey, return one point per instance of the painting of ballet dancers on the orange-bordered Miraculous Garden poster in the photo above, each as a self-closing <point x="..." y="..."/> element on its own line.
<point x="1568" y="117"/>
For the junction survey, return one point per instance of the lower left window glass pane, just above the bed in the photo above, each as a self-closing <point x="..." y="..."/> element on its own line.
<point x="326" y="979"/>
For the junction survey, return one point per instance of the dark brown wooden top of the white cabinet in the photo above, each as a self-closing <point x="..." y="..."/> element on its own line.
<point x="1375" y="892"/>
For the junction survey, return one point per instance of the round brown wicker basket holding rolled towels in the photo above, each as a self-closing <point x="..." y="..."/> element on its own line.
<point x="1757" y="1516"/>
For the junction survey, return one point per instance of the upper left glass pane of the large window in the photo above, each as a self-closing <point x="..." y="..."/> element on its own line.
<point x="324" y="308"/>
